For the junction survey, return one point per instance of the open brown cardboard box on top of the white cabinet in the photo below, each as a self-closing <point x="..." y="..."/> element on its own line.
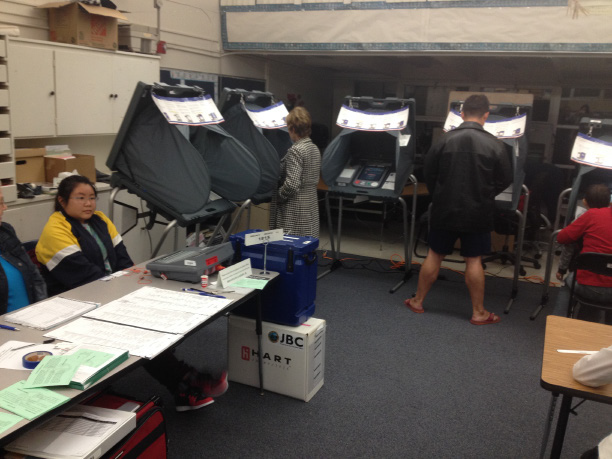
<point x="81" y="24"/>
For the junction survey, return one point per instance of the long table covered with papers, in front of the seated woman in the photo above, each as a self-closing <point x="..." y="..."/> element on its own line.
<point x="101" y="292"/>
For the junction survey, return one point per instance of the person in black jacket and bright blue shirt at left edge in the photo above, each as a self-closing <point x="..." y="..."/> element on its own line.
<point x="20" y="281"/>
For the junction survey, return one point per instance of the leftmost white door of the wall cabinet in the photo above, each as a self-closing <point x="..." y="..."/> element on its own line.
<point x="32" y="90"/>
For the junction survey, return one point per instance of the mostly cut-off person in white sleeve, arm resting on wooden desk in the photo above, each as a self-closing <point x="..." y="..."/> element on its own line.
<point x="594" y="371"/>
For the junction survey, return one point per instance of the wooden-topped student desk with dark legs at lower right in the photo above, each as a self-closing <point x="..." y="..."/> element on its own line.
<point x="565" y="333"/>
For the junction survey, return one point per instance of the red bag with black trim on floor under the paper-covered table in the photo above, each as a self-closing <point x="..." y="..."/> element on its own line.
<point x="148" y="439"/>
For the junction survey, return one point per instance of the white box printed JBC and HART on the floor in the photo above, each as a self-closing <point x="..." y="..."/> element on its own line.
<point x="293" y="357"/>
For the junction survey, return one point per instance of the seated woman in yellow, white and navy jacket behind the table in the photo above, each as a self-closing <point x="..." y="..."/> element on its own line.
<point x="79" y="245"/>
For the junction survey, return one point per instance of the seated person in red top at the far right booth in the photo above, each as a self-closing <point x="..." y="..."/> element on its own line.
<point x="594" y="229"/>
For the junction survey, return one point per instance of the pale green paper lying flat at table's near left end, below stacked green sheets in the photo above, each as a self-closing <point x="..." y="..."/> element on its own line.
<point x="29" y="403"/>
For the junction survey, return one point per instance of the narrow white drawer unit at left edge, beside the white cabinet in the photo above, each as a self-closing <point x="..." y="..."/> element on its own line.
<point x="7" y="160"/>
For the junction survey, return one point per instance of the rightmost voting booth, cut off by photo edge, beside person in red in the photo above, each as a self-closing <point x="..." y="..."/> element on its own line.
<point x="592" y="152"/>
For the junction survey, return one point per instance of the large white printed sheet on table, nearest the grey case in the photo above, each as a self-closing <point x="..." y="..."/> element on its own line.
<point x="160" y="309"/>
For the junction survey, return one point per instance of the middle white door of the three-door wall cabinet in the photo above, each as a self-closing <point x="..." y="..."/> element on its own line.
<point x="84" y="87"/>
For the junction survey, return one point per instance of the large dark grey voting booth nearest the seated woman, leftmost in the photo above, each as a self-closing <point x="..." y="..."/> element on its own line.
<point x="172" y="153"/>
